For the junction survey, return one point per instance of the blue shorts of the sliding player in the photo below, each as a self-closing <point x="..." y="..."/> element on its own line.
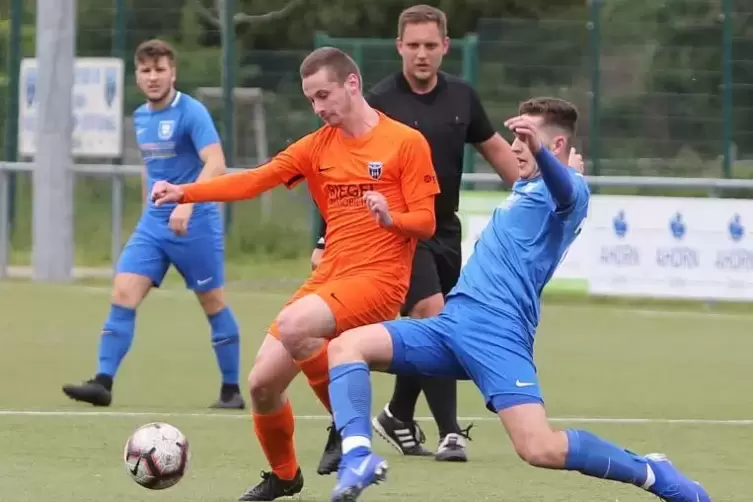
<point x="466" y="343"/>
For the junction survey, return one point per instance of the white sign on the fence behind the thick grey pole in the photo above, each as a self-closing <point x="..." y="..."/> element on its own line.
<point x="97" y="107"/>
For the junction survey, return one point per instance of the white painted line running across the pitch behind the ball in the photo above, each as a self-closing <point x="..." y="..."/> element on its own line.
<point x="489" y="418"/>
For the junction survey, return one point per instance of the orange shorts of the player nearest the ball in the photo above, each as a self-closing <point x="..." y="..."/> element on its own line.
<point x="354" y="301"/>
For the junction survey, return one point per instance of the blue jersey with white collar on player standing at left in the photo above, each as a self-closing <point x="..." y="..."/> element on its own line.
<point x="170" y="140"/>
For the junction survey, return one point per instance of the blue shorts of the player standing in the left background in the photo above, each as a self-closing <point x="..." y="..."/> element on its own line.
<point x="199" y="256"/>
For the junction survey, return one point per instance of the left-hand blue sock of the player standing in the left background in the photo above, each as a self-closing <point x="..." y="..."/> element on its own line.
<point x="117" y="336"/>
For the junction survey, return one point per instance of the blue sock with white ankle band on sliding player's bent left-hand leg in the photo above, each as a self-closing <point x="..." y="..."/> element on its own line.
<point x="350" y="395"/>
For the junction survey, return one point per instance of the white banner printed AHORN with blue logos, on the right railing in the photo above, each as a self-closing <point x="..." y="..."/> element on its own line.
<point x="670" y="247"/>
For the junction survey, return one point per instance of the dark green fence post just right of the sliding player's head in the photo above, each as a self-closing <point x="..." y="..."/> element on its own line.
<point x="594" y="37"/>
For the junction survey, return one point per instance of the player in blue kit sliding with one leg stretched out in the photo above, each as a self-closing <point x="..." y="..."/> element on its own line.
<point x="486" y="331"/>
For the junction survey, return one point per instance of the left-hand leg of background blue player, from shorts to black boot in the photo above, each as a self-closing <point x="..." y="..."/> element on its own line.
<point x="141" y="265"/>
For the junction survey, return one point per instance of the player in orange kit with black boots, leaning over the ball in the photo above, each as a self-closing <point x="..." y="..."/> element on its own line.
<point x="374" y="183"/>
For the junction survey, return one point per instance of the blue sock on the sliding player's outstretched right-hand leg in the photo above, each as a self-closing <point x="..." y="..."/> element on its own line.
<point x="592" y="456"/>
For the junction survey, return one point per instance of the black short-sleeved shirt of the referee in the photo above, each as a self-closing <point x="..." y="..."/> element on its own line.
<point x="449" y="116"/>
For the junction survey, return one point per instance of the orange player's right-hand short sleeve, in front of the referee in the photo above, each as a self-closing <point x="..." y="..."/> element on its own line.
<point x="418" y="178"/>
